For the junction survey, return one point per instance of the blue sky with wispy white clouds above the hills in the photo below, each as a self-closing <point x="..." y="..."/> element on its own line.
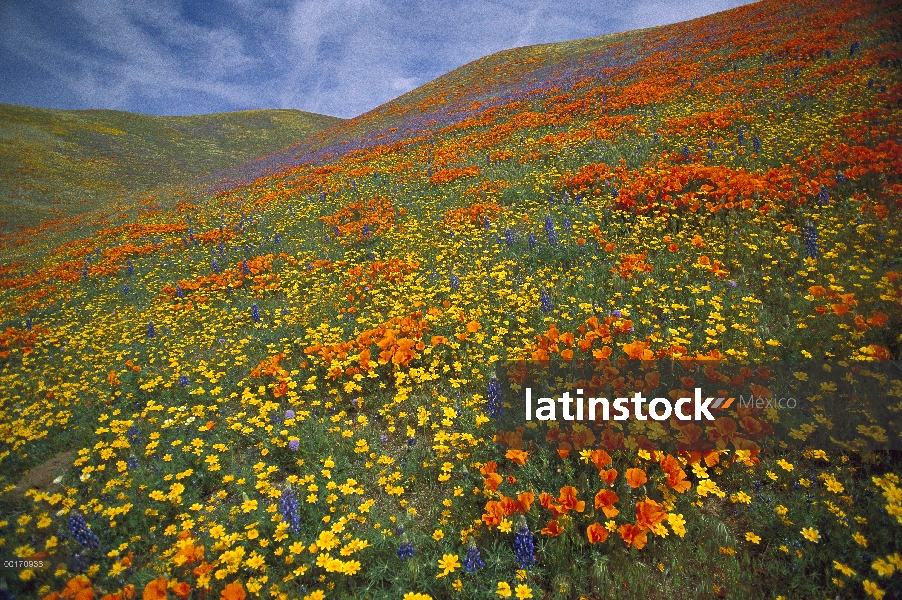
<point x="336" y="57"/>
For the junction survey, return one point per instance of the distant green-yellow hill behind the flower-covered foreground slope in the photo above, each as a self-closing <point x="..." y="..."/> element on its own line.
<point x="55" y="163"/>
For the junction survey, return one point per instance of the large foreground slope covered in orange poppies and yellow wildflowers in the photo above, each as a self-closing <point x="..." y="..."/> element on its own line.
<point x="296" y="378"/>
